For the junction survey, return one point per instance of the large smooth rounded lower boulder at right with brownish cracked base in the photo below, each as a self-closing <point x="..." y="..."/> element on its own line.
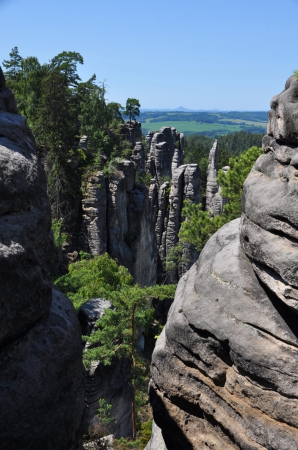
<point x="224" y="371"/>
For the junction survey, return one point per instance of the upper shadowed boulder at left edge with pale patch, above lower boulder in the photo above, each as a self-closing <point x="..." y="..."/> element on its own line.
<point x="24" y="228"/>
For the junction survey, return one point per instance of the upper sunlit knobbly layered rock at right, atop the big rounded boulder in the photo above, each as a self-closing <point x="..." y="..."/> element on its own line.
<point x="269" y="231"/>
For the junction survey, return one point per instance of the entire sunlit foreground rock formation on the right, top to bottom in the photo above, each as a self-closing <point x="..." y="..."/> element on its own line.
<point x="224" y="371"/>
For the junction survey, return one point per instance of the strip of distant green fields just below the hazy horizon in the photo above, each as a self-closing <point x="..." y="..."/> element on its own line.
<point x="191" y="127"/>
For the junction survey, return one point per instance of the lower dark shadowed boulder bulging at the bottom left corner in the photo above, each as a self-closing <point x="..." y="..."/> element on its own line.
<point x="42" y="383"/>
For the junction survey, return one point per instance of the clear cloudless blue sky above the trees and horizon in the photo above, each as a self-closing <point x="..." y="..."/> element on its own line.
<point x="200" y="54"/>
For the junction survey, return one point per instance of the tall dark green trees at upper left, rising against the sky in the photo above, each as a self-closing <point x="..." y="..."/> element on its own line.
<point x="59" y="107"/>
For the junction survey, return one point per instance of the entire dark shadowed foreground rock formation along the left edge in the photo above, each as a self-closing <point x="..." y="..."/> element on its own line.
<point x="41" y="372"/>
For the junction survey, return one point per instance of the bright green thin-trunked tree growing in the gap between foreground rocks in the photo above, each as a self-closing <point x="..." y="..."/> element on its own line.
<point x="117" y="331"/>
